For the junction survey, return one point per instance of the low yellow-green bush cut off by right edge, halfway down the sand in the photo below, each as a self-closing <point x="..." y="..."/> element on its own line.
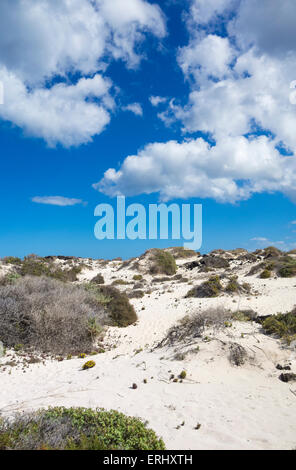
<point x="281" y="325"/>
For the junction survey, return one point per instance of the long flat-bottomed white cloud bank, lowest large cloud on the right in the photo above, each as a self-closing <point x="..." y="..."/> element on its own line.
<point x="233" y="169"/>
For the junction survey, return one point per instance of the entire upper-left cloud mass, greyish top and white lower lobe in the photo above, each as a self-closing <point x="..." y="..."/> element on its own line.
<point x="50" y="39"/>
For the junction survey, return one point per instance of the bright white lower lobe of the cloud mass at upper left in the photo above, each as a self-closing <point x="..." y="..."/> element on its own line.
<point x="61" y="113"/>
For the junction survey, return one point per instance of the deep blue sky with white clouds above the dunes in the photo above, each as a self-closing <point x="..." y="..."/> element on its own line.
<point x="222" y="135"/>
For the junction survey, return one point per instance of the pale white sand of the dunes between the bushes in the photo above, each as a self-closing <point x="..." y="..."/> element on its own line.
<point x="244" y="407"/>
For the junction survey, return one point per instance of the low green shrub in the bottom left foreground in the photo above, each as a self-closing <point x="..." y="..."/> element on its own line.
<point x="77" y="429"/>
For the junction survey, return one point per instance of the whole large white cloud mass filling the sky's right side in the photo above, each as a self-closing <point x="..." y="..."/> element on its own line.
<point x="240" y="98"/>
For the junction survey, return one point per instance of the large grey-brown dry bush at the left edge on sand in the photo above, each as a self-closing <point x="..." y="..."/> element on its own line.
<point x="49" y="316"/>
